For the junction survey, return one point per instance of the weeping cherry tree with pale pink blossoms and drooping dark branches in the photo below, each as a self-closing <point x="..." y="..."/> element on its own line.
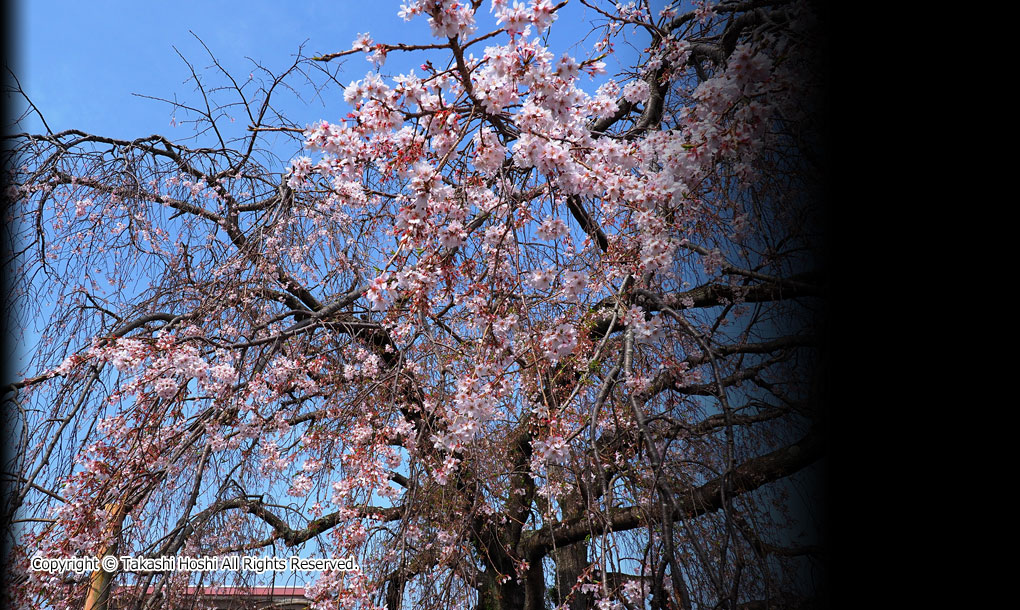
<point x="515" y="335"/>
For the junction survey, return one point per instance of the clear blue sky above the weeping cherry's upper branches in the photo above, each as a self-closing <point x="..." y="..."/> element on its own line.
<point x="81" y="63"/>
